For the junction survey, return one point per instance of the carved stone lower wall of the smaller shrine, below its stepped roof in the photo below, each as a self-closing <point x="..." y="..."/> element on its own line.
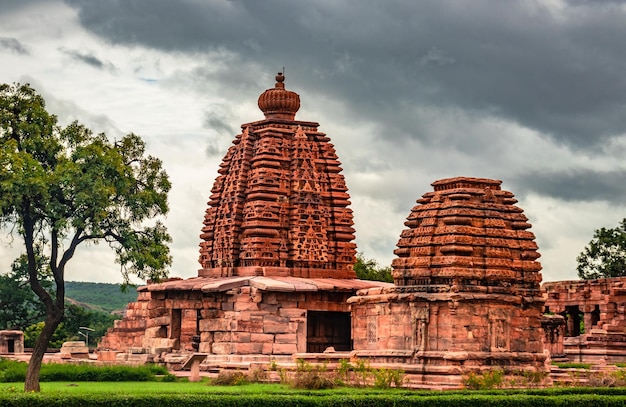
<point x="427" y="329"/>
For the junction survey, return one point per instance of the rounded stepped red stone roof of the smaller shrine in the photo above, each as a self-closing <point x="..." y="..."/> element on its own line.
<point x="469" y="235"/>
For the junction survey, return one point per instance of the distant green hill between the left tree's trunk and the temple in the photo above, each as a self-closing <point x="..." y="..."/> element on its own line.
<point x="99" y="296"/>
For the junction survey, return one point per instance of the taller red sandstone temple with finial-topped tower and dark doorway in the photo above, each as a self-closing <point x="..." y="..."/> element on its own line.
<point x="276" y="252"/>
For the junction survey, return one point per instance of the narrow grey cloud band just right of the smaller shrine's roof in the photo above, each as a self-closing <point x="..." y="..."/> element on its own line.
<point x="578" y="185"/>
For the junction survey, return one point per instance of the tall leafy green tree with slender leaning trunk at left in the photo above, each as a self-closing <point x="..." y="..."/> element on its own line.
<point x="65" y="187"/>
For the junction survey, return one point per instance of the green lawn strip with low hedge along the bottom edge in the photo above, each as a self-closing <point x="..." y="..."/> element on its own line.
<point x="186" y="394"/>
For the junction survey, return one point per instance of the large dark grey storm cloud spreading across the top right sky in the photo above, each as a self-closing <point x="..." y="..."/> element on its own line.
<point x="558" y="72"/>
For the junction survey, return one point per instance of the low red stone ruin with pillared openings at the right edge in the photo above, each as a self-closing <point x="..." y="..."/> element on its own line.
<point x="595" y="318"/>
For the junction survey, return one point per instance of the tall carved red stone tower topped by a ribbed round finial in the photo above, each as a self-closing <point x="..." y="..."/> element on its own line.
<point x="279" y="206"/>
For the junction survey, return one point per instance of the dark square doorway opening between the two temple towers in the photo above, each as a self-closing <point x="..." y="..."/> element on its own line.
<point x="325" y="329"/>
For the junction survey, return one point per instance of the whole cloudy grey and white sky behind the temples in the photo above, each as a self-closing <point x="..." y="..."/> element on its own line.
<point x="531" y="92"/>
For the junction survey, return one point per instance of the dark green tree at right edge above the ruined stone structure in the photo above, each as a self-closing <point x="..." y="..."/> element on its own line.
<point x="605" y="255"/>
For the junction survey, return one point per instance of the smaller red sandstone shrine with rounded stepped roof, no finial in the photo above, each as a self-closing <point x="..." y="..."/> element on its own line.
<point x="467" y="292"/>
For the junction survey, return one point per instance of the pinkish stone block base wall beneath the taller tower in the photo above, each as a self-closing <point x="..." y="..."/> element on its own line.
<point x="244" y="320"/>
